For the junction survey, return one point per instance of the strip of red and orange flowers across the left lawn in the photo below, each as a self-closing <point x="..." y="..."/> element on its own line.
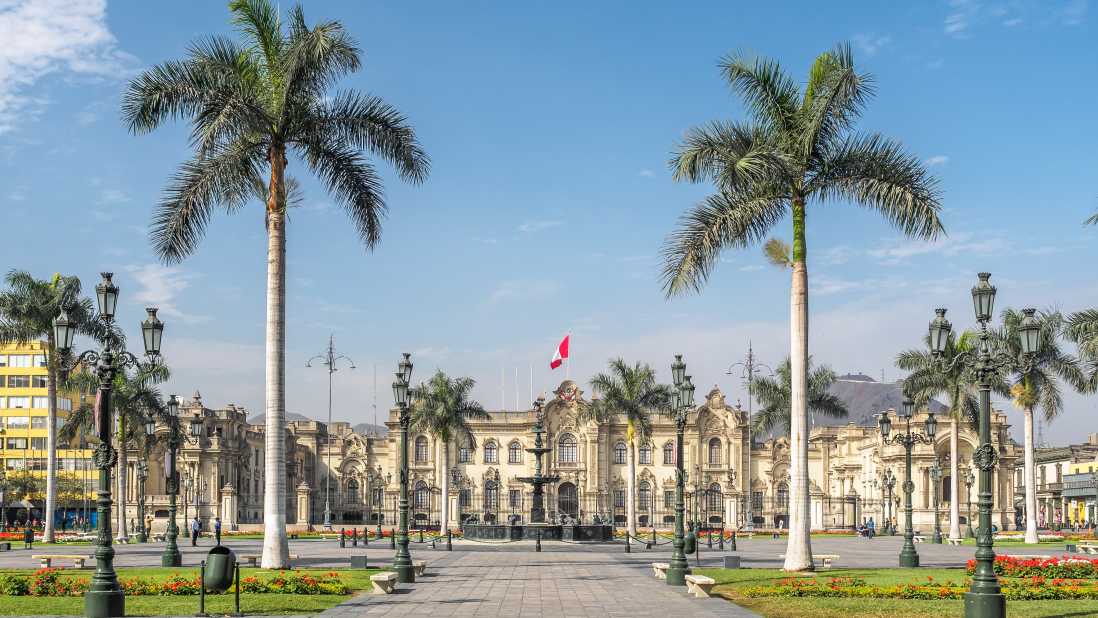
<point x="48" y="582"/>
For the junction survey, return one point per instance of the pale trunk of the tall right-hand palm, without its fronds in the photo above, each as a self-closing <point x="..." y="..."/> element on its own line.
<point x="799" y="552"/>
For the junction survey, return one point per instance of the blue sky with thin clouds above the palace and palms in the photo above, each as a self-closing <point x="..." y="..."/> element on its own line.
<point x="550" y="128"/>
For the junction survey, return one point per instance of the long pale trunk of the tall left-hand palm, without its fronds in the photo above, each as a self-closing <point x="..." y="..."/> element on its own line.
<point x="276" y="548"/>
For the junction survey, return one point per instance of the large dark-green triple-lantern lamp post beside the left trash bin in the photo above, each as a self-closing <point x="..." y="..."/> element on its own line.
<point x="105" y="597"/>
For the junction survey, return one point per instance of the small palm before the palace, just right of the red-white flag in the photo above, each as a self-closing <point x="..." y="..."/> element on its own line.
<point x="631" y="391"/>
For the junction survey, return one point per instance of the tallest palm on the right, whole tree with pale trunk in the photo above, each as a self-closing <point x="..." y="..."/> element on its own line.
<point x="797" y="150"/>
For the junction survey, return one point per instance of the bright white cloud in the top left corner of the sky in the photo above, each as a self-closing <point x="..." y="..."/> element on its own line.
<point x="48" y="37"/>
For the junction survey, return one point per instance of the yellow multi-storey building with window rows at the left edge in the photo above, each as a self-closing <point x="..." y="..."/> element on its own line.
<point x="25" y="410"/>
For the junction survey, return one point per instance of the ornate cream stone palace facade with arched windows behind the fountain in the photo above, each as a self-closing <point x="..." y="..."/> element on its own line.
<point x="846" y="467"/>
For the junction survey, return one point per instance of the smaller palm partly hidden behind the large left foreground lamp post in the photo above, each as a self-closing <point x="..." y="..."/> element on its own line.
<point x="136" y="397"/>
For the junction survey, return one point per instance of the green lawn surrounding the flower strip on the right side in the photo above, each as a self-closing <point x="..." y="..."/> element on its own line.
<point x="730" y="582"/>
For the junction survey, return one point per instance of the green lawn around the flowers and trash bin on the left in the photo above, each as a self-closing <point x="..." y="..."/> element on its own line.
<point x="265" y="604"/>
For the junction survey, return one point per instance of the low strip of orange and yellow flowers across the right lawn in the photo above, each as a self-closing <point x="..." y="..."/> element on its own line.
<point x="1033" y="589"/>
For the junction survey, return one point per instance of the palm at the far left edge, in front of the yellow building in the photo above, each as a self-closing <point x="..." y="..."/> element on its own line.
<point x="28" y="309"/>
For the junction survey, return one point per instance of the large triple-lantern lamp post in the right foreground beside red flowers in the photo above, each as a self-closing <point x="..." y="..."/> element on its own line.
<point x="985" y="599"/>
